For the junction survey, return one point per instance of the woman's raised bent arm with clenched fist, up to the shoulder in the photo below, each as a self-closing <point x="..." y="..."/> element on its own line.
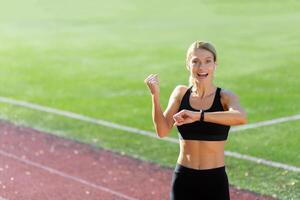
<point x="163" y="121"/>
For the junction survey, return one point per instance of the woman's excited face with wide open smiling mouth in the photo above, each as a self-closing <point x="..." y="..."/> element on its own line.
<point x="201" y="65"/>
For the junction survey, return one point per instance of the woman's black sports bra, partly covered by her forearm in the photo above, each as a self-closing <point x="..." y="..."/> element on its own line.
<point x="203" y="130"/>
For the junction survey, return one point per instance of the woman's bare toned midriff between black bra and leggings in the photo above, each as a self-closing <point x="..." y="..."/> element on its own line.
<point x="198" y="154"/>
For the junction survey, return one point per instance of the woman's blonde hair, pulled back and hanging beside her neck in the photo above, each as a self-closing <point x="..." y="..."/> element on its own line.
<point x="193" y="47"/>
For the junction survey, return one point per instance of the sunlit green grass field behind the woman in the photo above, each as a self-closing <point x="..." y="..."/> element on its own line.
<point x="91" y="58"/>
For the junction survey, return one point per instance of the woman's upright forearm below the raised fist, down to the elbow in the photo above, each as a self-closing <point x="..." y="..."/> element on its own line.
<point x="159" y="120"/>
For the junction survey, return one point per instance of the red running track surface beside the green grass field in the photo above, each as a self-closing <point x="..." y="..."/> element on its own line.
<point x="41" y="166"/>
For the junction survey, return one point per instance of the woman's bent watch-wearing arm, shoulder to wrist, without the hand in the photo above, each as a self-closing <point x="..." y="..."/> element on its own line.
<point x="234" y="114"/>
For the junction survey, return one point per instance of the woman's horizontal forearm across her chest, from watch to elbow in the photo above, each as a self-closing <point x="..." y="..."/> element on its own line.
<point x="233" y="117"/>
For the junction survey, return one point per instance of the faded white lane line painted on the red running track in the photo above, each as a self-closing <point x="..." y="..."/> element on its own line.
<point x="67" y="176"/>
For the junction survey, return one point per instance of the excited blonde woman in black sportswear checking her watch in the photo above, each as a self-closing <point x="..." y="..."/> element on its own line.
<point x="203" y="114"/>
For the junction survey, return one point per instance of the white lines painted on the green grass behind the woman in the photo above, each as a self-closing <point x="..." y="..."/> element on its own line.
<point x="152" y="134"/>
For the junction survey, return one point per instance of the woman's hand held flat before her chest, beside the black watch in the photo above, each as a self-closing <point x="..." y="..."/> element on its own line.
<point x="185" y="117"/>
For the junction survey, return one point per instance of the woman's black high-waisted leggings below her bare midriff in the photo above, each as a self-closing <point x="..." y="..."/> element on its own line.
<point x="193" y="184"/>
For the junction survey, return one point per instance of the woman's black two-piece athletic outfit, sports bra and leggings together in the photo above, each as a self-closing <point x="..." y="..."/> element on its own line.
<point x="206" y="184"/>
